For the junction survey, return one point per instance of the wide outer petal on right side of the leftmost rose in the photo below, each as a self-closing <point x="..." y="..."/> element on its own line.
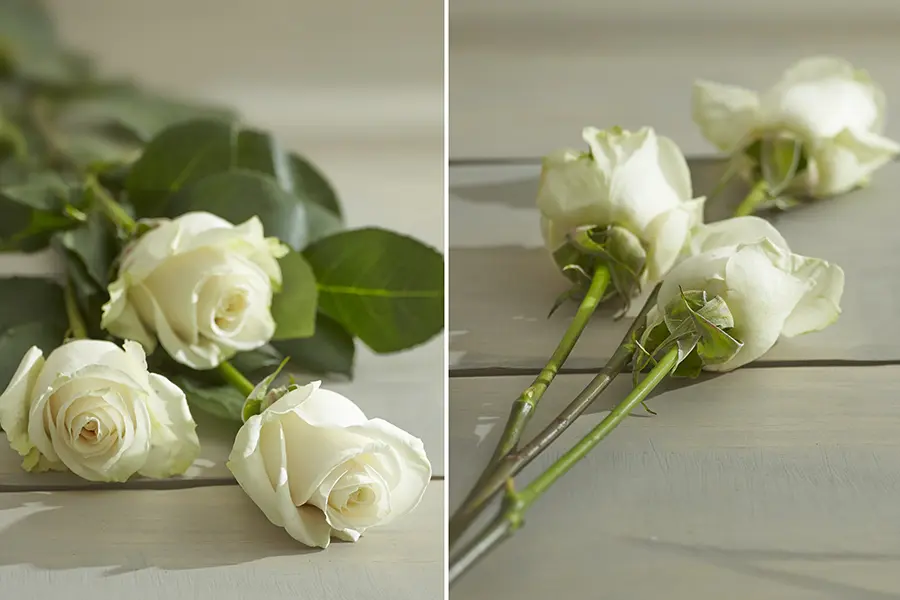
<point x="173" y="437"/>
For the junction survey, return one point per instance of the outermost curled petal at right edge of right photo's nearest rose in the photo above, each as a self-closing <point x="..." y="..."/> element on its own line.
<point x="821" y="305"/>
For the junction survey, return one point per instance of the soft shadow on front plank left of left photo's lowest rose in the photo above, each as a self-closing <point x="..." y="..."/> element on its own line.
<point x="129" y="531"/>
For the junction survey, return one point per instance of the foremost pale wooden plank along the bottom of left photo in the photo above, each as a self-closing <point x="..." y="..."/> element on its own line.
<point x="204" y="543"/>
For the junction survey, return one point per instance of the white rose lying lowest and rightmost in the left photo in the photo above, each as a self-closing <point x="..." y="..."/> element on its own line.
<point x="318" y="467"/>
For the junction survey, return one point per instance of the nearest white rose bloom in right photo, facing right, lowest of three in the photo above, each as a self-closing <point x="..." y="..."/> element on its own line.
<point x="770" y="291"/>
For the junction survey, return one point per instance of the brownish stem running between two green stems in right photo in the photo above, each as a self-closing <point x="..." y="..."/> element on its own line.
<point x="493" y="479"/>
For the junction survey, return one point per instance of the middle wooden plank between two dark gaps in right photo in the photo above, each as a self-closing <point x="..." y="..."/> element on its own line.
<point x="502" y="282"/>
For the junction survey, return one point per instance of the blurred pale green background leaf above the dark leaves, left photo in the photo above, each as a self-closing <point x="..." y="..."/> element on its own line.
<point x="141" y="113"/>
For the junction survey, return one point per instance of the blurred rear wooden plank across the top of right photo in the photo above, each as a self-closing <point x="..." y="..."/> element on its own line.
<point x="527" y="79"/>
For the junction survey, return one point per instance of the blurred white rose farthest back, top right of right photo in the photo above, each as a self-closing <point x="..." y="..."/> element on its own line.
<point x="836" y="111"/>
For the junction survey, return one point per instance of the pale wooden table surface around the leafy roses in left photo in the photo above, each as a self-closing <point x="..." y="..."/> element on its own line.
<point x="369" y="113"/>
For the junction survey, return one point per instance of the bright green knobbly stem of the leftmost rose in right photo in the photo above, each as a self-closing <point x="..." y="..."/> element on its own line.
<point x="525" y="405"/>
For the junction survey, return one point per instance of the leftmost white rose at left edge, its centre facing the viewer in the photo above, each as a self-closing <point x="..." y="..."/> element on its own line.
<point x="93" y="408"/>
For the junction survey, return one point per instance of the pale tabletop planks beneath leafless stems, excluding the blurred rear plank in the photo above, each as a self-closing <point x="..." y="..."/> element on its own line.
<point x="779" y="480"/>
